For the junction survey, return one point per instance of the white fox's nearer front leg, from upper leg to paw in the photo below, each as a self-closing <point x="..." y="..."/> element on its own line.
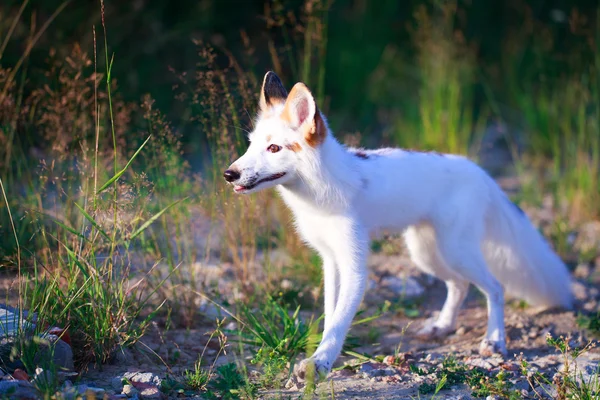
<point x="349" y="248"/>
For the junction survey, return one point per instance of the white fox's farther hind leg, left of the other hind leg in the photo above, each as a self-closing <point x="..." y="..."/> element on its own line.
<point x="422" y="246"/>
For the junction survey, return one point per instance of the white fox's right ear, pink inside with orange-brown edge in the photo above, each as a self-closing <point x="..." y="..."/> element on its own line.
<point x="302" y="114"/>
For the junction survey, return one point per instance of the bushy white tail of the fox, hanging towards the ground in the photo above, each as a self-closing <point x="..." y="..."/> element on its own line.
<point x="521" y="259"/>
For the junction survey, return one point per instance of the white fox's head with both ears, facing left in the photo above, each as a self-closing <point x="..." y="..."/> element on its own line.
<point x="287" y="126"/>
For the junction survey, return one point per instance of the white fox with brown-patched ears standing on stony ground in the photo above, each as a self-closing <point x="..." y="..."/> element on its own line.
<point x="458" y="224"/>
